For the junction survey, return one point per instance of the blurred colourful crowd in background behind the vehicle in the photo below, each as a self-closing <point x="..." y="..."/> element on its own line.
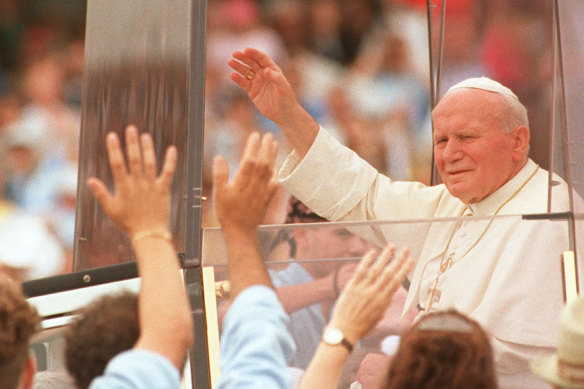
<point x="360" y="68"/>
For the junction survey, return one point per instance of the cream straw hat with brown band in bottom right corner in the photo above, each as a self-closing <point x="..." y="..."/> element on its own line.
<point x="564" y="369"/>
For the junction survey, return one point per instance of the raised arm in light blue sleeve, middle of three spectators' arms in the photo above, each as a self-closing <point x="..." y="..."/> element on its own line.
<point x="255" y="343"/>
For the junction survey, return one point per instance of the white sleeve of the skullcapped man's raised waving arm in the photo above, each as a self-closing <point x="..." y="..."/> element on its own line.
<point x="337" y="184"/>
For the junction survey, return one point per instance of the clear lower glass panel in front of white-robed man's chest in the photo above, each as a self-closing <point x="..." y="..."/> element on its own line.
<point x="493" y="260"/>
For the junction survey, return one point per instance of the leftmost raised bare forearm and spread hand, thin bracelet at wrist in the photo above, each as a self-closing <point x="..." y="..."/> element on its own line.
<point x="140" y="207"/>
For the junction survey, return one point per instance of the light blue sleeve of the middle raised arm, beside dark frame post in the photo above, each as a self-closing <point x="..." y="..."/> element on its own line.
<point x="255" y="344"/>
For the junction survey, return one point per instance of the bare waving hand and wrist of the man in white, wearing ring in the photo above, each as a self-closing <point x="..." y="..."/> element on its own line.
<point x="272" y="94"/>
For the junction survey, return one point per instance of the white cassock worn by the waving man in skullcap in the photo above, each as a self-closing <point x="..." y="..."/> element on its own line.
<point x="505" y="271"/>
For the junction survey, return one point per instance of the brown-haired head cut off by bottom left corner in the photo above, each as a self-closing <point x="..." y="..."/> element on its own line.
<point x="18" y="322"/>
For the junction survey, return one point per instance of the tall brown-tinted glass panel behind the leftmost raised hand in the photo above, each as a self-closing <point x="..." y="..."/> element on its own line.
<point x="143" y="81"/>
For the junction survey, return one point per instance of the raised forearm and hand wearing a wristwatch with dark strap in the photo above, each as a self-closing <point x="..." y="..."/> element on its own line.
<point x="360" y="306"/>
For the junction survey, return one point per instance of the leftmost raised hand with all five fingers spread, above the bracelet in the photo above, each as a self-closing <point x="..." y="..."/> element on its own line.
<point x="141" y="202"/>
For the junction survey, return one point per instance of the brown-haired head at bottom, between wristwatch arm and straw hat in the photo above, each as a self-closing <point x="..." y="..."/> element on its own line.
<point x="443" y="350"/>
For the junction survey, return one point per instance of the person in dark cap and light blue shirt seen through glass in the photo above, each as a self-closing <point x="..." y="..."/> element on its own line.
<point x="309" y="286"/>
